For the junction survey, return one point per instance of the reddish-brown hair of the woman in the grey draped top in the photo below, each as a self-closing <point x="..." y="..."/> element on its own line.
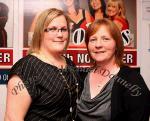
<point x="114" y="32"/>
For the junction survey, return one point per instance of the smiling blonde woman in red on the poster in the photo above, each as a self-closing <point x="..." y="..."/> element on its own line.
<point x="116" y="12"/>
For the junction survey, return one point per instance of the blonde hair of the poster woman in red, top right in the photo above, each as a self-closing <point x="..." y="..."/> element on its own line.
<point x="120" y="5"/>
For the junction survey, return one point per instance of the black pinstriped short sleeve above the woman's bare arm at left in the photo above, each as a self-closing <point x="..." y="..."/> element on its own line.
<point x="25" y="71"/>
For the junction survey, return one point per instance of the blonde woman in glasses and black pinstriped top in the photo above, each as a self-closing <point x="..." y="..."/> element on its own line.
<point x="41" y="86"/>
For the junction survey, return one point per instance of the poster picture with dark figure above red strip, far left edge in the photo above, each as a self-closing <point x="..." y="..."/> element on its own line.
<point x="6" y="23"/>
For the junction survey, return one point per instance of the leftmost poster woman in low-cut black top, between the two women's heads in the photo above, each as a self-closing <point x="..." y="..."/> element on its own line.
<point x="78" y="16"/>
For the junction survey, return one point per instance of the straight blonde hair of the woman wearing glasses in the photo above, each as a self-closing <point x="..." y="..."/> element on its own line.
<point x="42" y="22"/>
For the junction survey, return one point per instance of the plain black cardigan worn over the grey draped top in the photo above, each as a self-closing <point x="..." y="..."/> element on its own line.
<point x="130" y="99"/>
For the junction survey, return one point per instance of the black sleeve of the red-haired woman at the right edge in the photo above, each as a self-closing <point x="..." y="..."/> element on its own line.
<point x="137" y="99"/>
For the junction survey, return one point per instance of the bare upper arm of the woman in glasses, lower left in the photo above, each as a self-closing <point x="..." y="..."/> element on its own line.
<point x="18" y="100"/>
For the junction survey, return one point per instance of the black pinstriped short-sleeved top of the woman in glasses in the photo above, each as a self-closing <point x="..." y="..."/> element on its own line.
<point x="47" y="88"/>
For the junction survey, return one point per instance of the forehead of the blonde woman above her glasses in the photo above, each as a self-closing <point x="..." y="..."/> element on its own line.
<point x="58" y="21"/>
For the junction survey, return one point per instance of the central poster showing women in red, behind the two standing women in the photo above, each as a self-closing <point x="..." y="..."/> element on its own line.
<point x="81" y="14"/>
